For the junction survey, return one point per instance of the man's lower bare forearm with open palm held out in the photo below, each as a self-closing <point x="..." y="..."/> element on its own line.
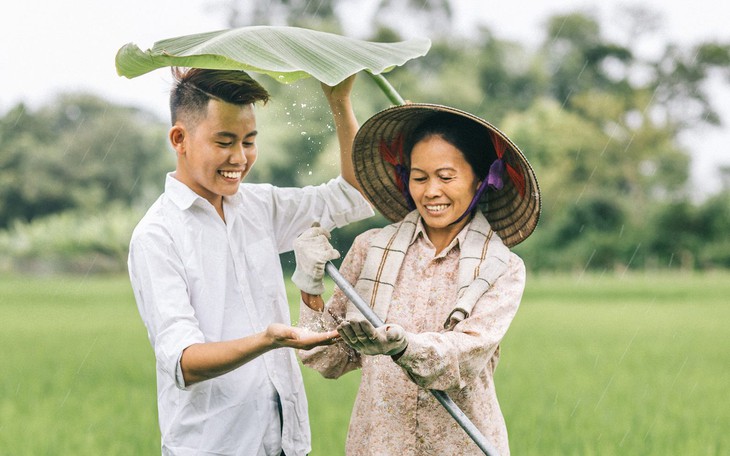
<point x="209" y="360"/>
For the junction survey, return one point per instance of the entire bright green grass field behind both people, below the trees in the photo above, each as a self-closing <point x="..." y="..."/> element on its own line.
<point x="634" y="364"/>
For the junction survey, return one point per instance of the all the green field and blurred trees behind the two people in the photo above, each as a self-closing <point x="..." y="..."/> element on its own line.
<point x="620" y="346"/>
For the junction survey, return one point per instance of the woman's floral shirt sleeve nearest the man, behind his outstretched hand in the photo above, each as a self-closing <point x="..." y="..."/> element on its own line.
<point x="335" y="360"/>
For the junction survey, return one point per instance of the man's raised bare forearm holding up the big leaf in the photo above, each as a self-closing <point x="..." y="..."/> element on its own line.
<point x="346" y="124"/>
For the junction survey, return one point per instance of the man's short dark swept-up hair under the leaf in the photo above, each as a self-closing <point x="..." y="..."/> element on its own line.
<point x="195" y="87"/>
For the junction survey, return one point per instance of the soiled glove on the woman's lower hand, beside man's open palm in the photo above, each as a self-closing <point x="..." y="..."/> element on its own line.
<point x="388" y="339"/>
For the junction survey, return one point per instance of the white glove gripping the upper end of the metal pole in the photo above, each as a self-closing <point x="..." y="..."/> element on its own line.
<point x="311" y="251"/>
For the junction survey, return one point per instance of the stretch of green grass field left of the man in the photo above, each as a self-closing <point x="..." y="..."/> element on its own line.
<point x="78" y="373"/>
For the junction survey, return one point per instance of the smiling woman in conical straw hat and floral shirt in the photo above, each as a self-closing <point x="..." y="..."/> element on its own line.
<point x="442" y="278"/>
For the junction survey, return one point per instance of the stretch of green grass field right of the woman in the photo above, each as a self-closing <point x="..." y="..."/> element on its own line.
<point x="637" y="365"/>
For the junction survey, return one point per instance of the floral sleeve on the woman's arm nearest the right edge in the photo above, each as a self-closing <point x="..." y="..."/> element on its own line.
<point x="452" y="359"/>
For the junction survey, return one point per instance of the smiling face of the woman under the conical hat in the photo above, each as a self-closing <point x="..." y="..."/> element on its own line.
<point x="442" y="184"/>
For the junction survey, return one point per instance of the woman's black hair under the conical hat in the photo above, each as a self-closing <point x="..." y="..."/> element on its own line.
<point x="472" y="139"/>
